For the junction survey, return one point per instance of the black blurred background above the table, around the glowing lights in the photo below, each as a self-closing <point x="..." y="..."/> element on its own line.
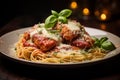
<point x="10" y="9"/>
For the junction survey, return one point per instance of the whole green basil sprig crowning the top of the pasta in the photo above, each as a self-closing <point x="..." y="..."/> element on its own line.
<point x="57" y="17"/>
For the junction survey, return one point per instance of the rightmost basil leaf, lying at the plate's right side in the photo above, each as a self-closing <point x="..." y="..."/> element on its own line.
<point x="107" y="45"/>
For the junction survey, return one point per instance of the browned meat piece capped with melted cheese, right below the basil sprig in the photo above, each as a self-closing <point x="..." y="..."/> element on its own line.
<point x="68" y="31"/>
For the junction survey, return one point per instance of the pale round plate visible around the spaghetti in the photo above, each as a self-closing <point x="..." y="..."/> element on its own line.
<point x="8" y="40"/>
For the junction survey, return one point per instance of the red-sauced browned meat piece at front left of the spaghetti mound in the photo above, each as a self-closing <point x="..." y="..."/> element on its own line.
<point x="43" y="43"/>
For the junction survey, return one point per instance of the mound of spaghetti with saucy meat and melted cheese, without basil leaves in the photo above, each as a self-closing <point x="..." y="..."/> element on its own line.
<point x="62" y="44"/>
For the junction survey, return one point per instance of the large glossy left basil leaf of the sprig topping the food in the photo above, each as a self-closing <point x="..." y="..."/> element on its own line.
<point x="50" y="21"/>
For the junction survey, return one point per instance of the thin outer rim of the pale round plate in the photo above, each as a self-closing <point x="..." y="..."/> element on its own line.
<point x="58" y="64"/>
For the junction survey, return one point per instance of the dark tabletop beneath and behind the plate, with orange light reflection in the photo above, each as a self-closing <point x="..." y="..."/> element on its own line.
<point x="106" y="70"/>
